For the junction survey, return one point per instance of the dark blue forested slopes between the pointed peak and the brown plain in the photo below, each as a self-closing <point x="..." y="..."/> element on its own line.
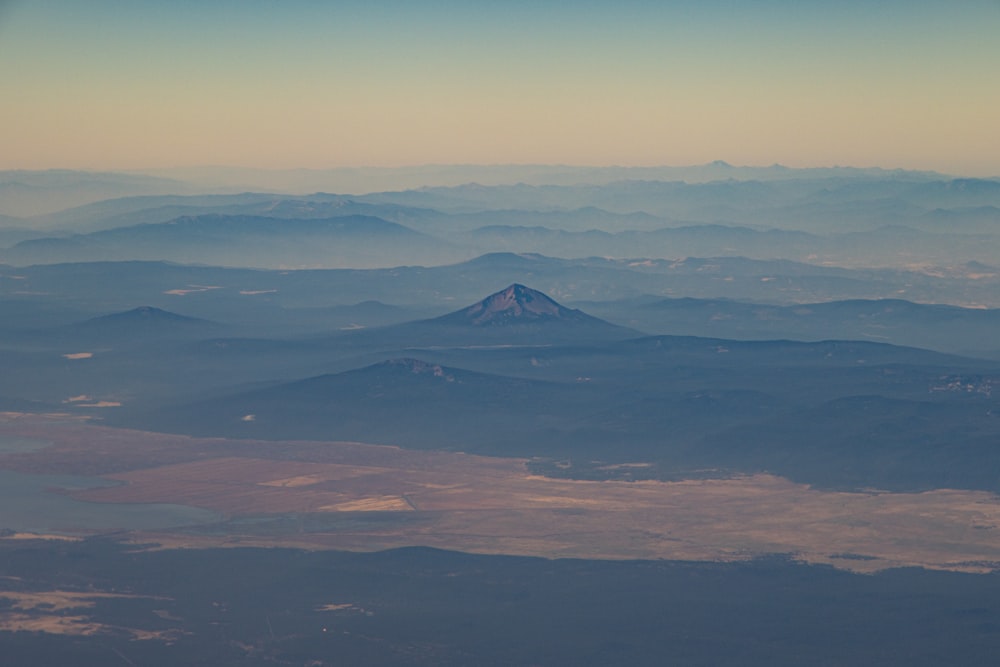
<point x="680" y="404"/>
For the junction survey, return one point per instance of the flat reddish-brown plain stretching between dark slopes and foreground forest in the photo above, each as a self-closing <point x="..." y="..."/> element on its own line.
<point x="493" y="505"/>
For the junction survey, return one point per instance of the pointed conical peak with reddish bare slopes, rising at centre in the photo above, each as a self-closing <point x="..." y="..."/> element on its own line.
<point x="516" y="305"/>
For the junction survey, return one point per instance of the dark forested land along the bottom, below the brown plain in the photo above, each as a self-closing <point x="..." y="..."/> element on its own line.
<point x="422" y="606"/>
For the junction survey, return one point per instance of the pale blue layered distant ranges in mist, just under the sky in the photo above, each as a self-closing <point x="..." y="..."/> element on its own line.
<point x="847" y="217"/>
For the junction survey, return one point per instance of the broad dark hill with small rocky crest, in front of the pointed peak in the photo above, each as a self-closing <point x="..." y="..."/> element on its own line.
<point x="401" y="401"/>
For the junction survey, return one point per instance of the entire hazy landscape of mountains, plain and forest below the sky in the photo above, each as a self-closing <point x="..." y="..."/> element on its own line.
<point x="766" y="365"/>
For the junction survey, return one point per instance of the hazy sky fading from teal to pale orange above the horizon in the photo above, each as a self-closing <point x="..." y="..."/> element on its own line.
<point x="121" y="84"/>
